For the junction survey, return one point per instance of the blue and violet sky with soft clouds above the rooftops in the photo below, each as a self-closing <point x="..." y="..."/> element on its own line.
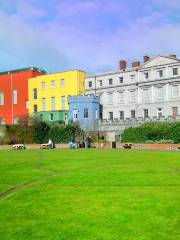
<point x="91" y="35"/>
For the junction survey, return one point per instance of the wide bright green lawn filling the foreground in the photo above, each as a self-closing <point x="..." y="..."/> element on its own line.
<point x="90" y="194"/>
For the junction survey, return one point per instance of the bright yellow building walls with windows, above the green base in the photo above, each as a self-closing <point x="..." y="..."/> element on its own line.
<point x="50" y="92"/>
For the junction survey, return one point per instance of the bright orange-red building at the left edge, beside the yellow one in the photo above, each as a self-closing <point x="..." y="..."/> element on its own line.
<point x="14" y="94"/>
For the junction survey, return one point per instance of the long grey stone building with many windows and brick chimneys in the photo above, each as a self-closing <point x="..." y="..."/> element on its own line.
<point x="144" y="92"/>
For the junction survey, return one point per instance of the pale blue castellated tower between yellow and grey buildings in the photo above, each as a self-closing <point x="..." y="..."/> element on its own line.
<point x="85" y="110"/>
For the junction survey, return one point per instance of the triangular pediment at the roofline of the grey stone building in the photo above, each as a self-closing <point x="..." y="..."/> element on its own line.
<point x="159" y="60"/>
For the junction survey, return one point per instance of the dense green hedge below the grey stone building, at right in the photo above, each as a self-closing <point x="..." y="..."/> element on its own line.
<point x="156" y="131"/>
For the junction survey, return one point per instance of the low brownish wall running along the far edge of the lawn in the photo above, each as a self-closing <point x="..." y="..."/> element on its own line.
<point x="107" y="145"/>
